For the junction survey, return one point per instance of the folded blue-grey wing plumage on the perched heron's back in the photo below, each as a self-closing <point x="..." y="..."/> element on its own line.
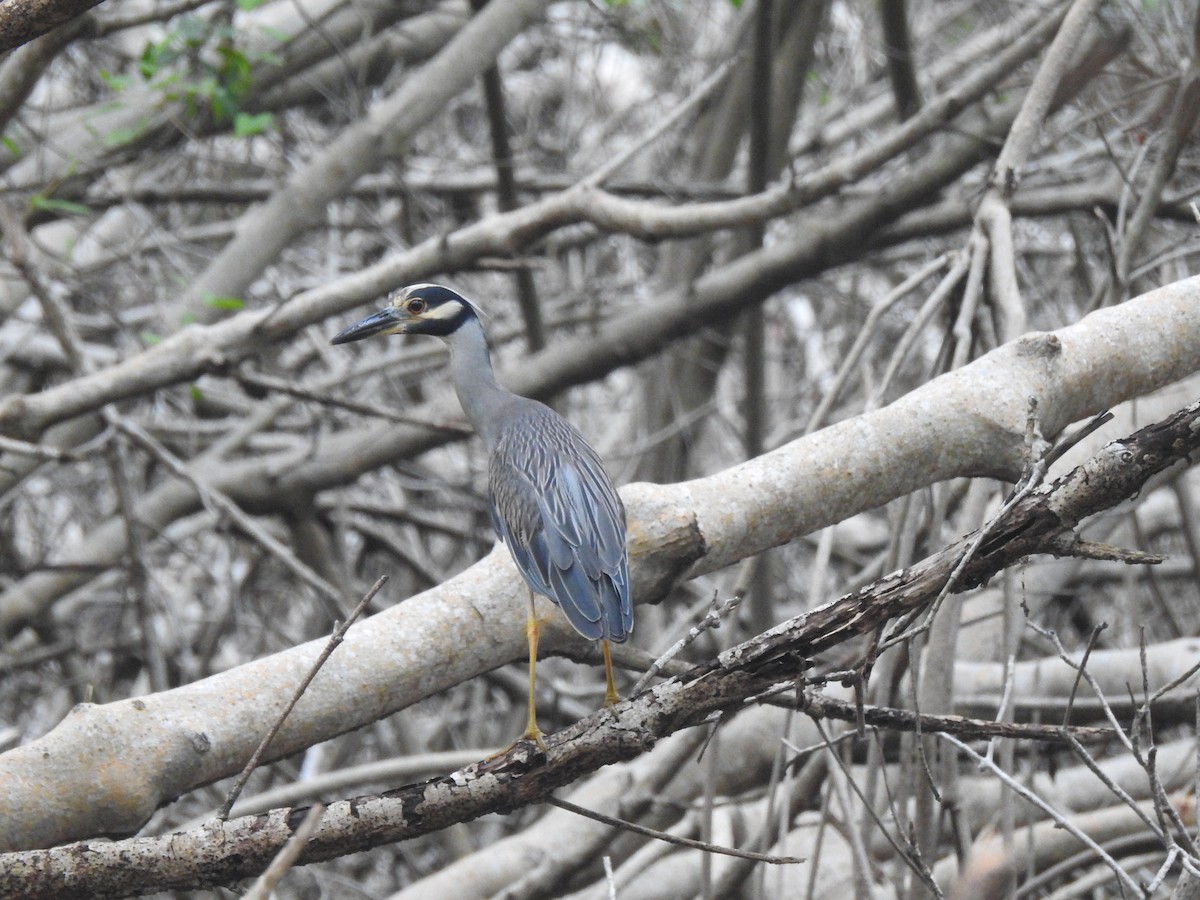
<point x="561" y="518"/>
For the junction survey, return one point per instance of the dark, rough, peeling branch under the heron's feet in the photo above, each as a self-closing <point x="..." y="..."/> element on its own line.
<point x="220" y="853"/>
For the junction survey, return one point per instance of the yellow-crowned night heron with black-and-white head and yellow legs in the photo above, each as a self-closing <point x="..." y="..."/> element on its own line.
<point x="553" y="503"/>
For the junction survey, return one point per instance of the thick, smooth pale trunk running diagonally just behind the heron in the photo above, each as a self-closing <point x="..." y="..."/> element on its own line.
<point x="676" y="531"/>
